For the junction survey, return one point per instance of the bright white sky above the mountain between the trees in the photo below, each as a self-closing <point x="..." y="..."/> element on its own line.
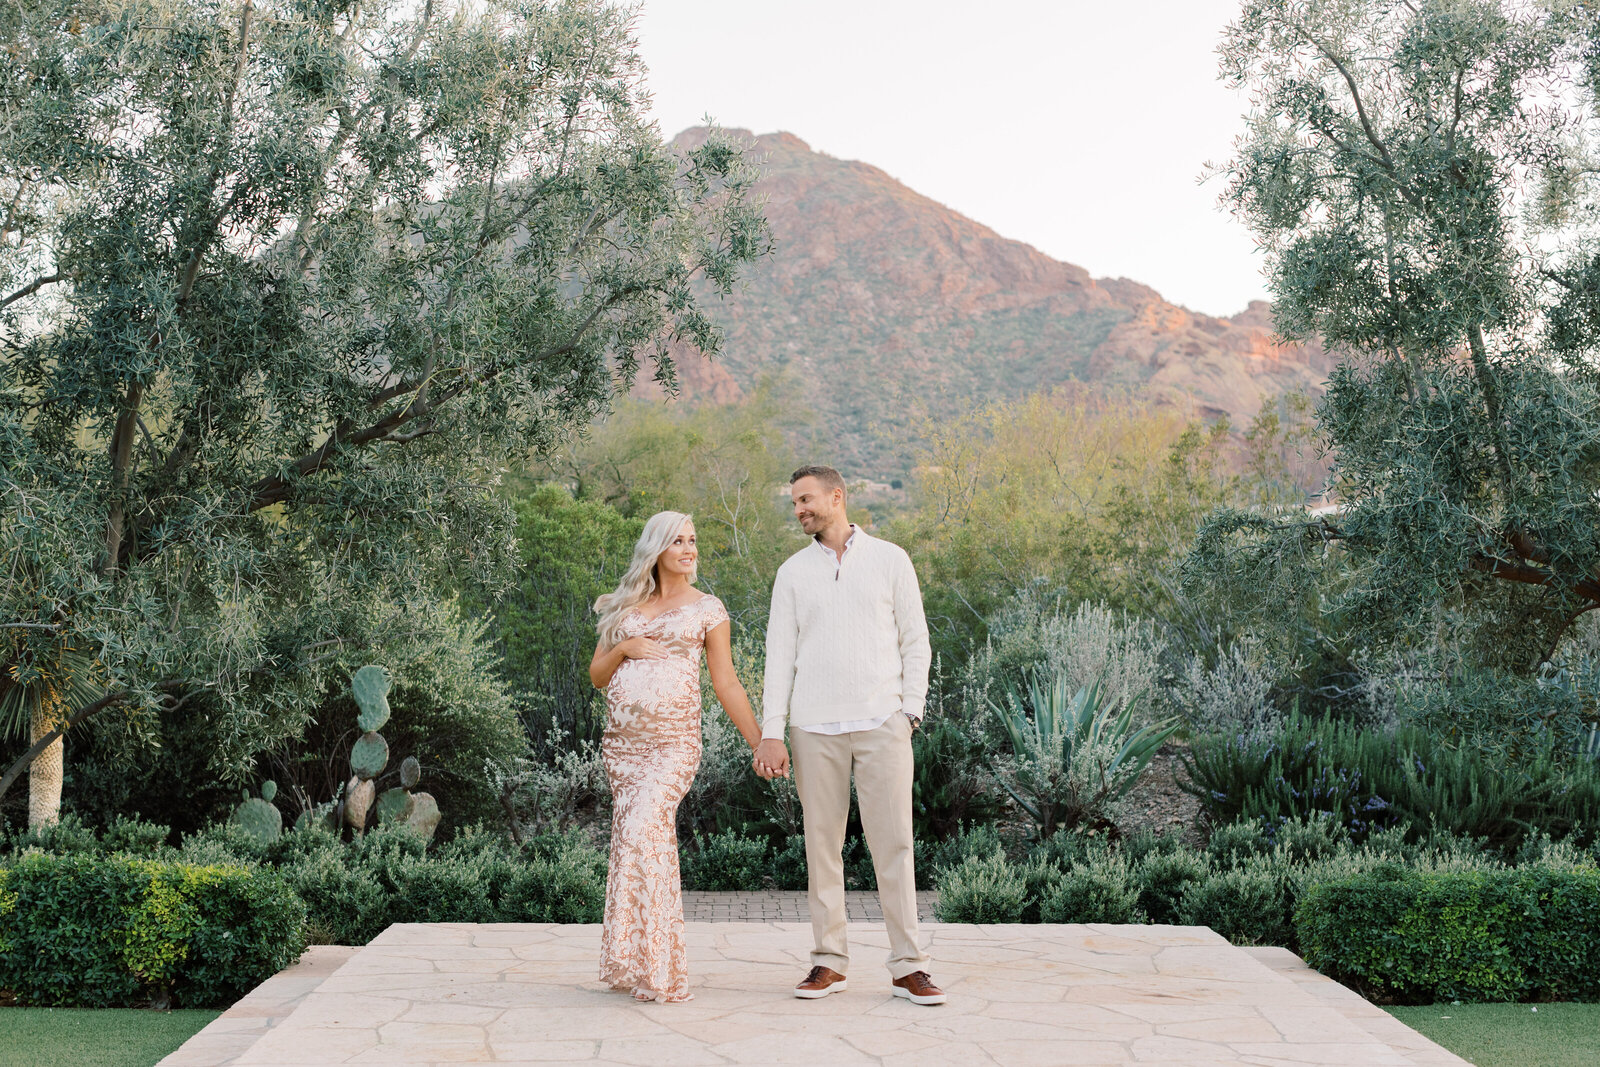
<point x="1076" y="127"/>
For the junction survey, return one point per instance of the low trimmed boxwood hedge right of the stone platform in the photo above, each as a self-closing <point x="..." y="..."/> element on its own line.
<point x="1414" y="937"/>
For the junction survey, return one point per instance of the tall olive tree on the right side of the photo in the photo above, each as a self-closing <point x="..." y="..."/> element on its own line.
<point x="1420" y="175"/>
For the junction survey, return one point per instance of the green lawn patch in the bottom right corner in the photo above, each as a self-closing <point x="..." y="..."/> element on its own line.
<point x="1513" y="1036"/>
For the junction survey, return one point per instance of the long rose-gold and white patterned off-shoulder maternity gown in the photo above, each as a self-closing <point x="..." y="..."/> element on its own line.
<point x="652" y="749"/>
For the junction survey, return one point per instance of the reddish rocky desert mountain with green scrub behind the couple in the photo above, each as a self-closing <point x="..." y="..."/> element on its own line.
<point x="890" y="310"/>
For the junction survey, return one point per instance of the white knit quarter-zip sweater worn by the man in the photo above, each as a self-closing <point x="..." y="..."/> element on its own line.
<point x="846" y="641"/>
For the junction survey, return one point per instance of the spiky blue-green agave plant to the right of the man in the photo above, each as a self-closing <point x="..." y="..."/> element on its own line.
<point x="1074" y="756"/>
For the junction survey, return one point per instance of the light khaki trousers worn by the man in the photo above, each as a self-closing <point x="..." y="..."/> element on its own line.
<point x="882" y="765"/>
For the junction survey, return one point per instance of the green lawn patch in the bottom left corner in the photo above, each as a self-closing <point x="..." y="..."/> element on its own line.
<point x="89" y="1037"/>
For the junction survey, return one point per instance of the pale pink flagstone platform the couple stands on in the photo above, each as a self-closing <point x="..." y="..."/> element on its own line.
<point x="1074" y="994"/>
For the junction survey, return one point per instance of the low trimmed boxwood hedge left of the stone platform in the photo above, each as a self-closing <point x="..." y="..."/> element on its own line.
<point x="116" y="930"/>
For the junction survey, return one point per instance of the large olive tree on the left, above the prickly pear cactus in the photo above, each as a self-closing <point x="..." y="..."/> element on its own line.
<point x="284" y="286"/>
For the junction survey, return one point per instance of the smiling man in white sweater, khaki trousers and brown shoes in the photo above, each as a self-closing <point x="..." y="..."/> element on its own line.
<point x="847" y="668"/>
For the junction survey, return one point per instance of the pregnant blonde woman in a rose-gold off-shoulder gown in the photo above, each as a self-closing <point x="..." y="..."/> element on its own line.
<point x="652" y="633"/>
